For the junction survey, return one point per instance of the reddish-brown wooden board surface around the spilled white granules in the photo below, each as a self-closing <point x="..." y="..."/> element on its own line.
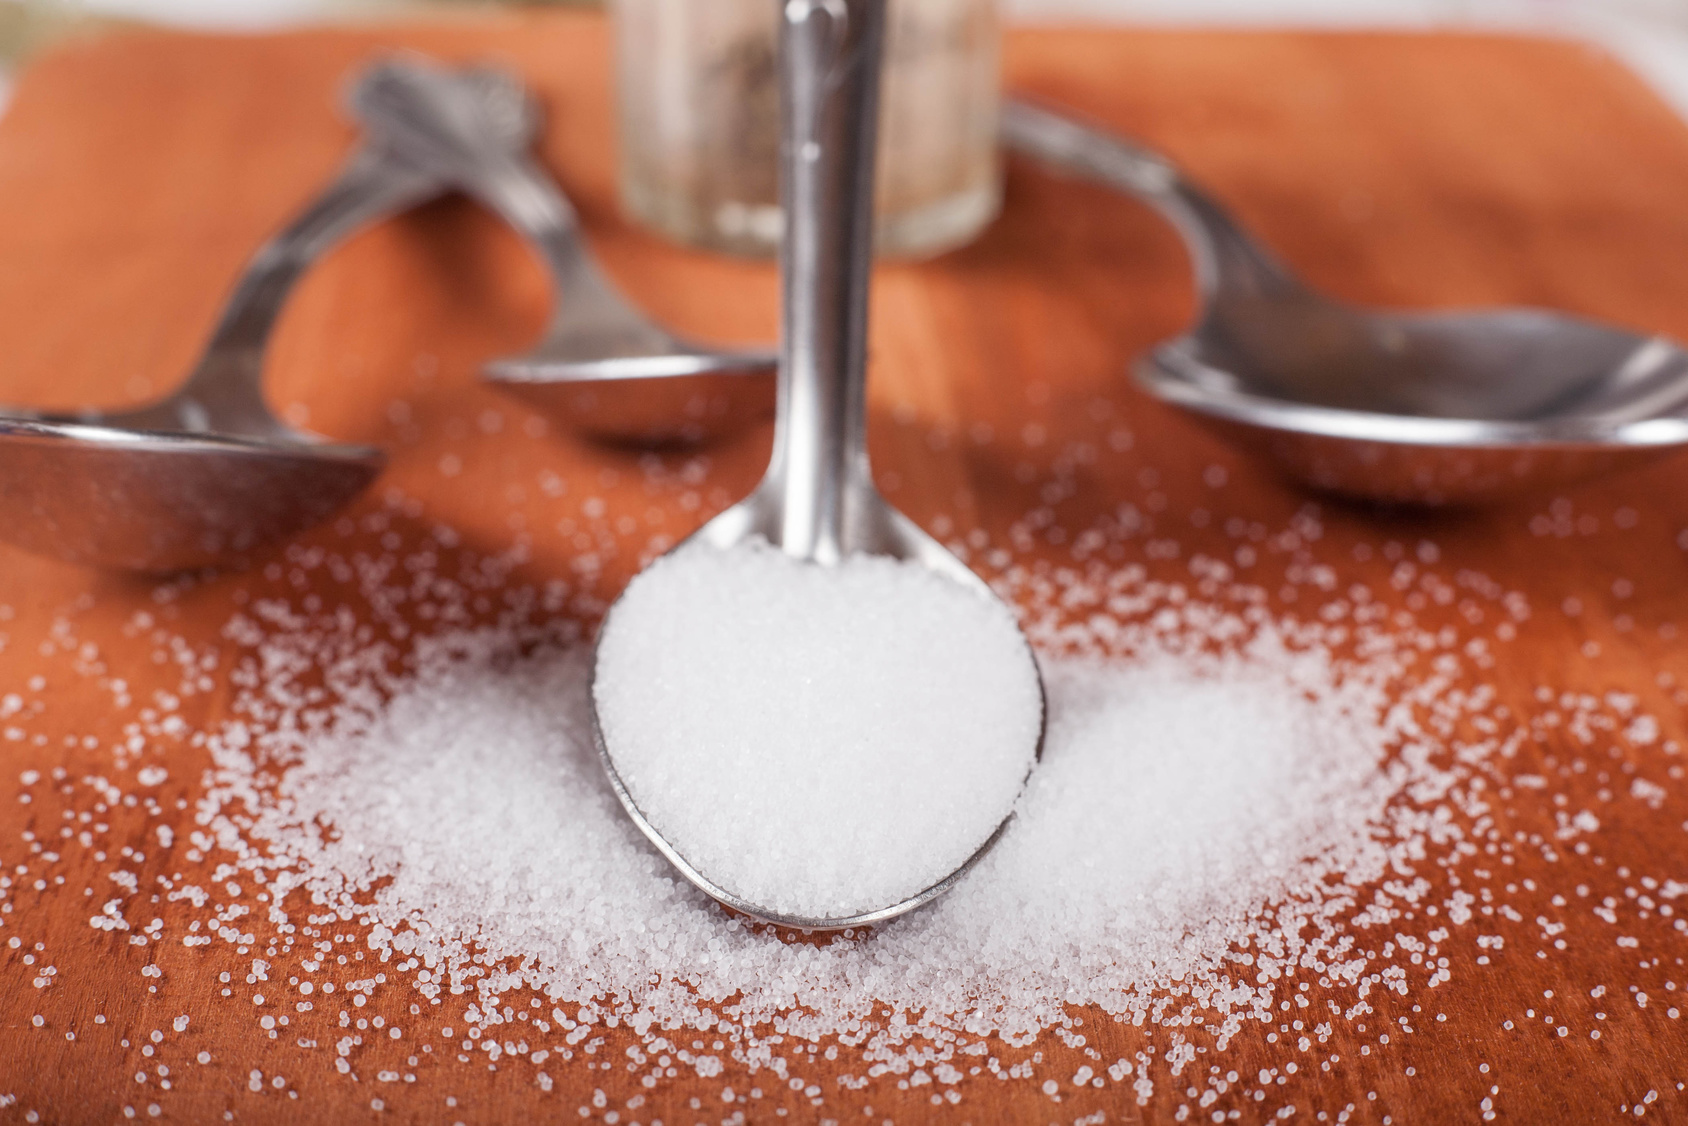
<point x="139" y="171"/>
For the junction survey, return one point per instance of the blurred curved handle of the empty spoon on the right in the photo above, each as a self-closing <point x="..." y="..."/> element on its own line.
<point x="1228" y="261"/>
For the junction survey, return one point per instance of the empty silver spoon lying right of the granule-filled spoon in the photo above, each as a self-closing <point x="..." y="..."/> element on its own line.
<point x="1417" y="408"/>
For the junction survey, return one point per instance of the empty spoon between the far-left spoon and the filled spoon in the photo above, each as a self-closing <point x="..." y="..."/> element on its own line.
<point x="602" y="364"/>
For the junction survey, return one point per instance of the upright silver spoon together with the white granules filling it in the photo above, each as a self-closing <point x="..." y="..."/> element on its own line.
<point x="820" y="715"/>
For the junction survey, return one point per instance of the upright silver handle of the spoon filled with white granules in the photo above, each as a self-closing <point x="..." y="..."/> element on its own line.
<point x="830" y="85"/>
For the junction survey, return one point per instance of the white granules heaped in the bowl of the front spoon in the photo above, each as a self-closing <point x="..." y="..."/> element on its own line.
<point x="816" y="740"/>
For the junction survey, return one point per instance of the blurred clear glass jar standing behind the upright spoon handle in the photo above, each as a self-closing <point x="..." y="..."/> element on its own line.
<point x="701" y="122"/>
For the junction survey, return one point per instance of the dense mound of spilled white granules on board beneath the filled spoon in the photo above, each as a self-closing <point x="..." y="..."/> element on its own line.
<point x="1179" y="798"/>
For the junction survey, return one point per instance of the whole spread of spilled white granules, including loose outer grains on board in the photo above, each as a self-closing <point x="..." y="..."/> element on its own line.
<point x="1245" y="821"/>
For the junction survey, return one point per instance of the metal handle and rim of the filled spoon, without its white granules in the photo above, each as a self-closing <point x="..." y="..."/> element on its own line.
<point x="818" y="501"/>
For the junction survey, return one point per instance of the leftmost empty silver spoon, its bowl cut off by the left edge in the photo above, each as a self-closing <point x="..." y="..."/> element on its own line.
<point x="207" y="474"/>
